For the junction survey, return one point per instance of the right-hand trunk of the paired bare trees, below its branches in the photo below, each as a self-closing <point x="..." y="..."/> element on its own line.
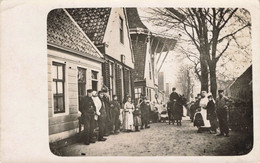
<point x="213" y="79"/>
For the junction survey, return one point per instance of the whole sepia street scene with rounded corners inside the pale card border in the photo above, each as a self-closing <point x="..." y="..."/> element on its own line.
<point x="149" y="81"/>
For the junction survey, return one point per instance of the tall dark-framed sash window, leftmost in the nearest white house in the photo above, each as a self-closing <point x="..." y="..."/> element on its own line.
<point x="58" y="87"/>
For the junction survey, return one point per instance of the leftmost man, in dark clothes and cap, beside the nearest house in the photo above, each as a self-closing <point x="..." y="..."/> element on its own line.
<point x="88" y="112"/>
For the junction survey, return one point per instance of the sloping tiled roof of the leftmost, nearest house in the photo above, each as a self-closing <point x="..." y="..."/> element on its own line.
<point x="63" y="32"/>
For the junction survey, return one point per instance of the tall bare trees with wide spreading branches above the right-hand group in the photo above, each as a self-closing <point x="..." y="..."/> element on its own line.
<point x="210" y="30"/>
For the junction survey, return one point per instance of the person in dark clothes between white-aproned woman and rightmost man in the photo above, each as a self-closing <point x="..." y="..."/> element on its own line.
<point x="211" y="115"/>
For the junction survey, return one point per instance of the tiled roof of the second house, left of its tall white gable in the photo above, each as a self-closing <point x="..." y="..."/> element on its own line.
<point x="93" y="21"/>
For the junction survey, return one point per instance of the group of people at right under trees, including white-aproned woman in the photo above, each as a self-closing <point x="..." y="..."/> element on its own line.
<point x="207" y="114"/>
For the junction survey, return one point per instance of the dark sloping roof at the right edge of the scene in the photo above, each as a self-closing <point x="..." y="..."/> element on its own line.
<point x="243" y="79"/>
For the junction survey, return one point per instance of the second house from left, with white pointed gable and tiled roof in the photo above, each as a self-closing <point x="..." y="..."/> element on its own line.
<point x="108" y="29"/>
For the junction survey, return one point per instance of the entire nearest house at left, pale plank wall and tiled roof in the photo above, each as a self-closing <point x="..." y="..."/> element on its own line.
<point x="74" y="65"/>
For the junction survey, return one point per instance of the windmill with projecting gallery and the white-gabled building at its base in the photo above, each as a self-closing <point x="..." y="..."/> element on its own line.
<point x="148" y="49"/>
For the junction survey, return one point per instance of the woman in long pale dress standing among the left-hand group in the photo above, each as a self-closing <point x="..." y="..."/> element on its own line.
<point x="128" y="115"/>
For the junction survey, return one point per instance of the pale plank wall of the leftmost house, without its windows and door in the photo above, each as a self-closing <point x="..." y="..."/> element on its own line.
<point x="64" y="125"/>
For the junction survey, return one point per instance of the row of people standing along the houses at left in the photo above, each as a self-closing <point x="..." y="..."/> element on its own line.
<point x="110" y="116"/>
